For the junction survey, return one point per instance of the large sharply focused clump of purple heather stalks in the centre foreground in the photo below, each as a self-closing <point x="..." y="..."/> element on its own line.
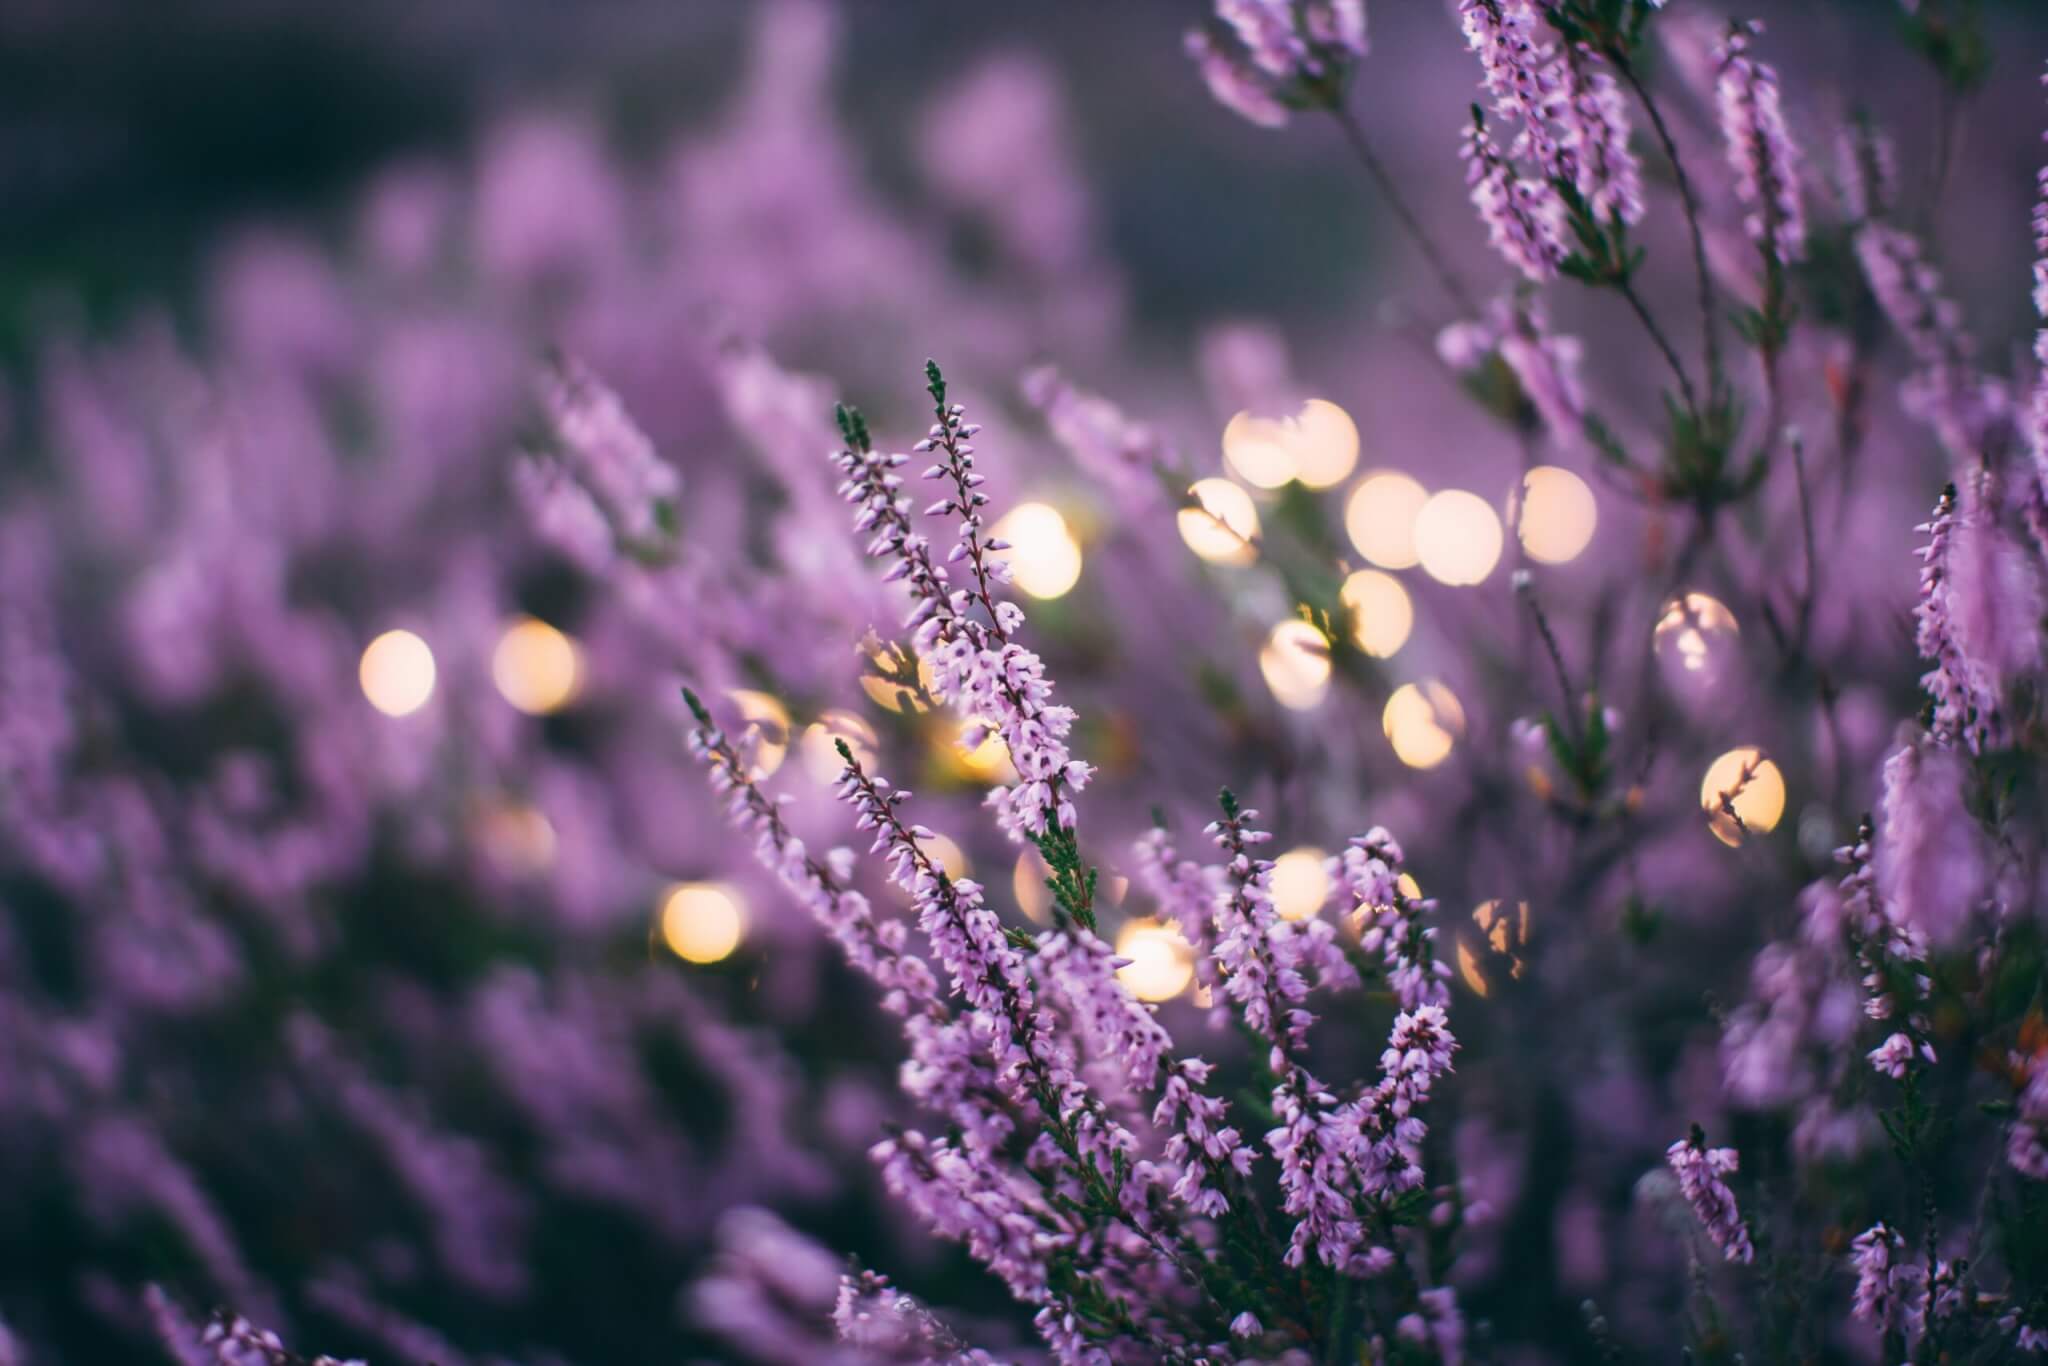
<point x="1093" y="1209"/>
